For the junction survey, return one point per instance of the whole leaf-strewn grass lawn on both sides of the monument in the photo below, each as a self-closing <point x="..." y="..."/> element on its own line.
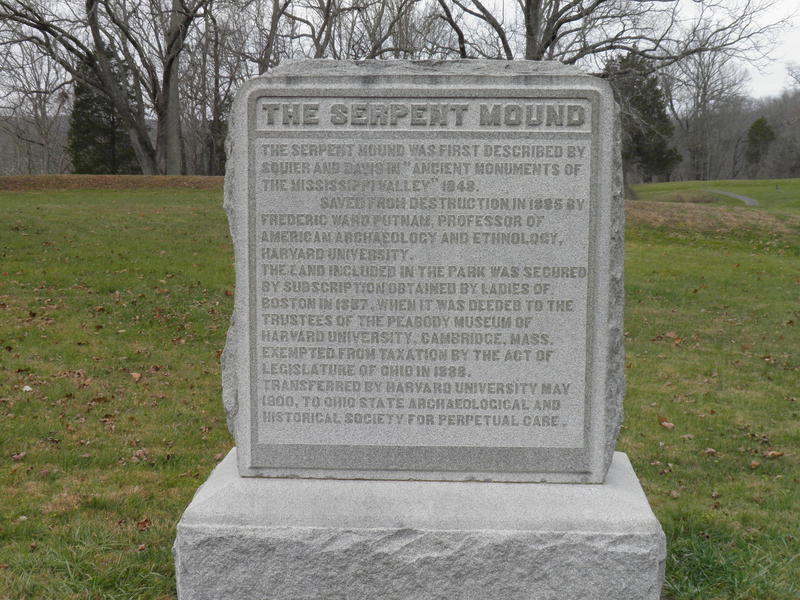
<point x="113" y="311"/>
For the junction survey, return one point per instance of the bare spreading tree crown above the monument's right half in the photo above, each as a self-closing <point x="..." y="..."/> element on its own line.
<point x="663" y="31"/>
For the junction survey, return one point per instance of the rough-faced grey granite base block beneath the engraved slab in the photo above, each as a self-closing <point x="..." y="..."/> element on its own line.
<point x="303" y="539"/>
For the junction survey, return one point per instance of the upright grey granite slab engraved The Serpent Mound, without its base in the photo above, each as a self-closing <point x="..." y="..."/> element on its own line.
<point x="429" y="272"/>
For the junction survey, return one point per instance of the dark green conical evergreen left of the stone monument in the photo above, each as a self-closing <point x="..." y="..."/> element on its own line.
<point x="98" y="139"/>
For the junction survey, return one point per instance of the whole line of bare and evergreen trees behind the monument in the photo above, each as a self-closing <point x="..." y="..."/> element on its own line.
<point x="124" y="86"/>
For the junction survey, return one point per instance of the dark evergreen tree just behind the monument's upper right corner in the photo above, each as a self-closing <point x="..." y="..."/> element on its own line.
<point x="646" y="126"/>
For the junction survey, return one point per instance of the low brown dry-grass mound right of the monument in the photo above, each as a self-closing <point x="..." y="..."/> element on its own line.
<point x="702" y="218"/>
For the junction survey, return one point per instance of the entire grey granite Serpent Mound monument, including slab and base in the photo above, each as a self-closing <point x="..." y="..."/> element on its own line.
<point x="426" y="346"/>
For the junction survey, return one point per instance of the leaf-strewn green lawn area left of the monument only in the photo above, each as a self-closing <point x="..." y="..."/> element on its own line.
<point x="94" y="288"/>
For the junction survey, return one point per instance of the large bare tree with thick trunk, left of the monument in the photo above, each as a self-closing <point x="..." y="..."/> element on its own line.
<point x="148" y="37"/>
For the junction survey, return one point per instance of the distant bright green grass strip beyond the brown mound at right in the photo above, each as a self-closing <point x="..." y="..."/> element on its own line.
<point x="774" y="195"/>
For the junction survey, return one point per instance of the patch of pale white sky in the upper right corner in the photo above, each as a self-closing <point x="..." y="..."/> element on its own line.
<point x="772" y="79"/>
